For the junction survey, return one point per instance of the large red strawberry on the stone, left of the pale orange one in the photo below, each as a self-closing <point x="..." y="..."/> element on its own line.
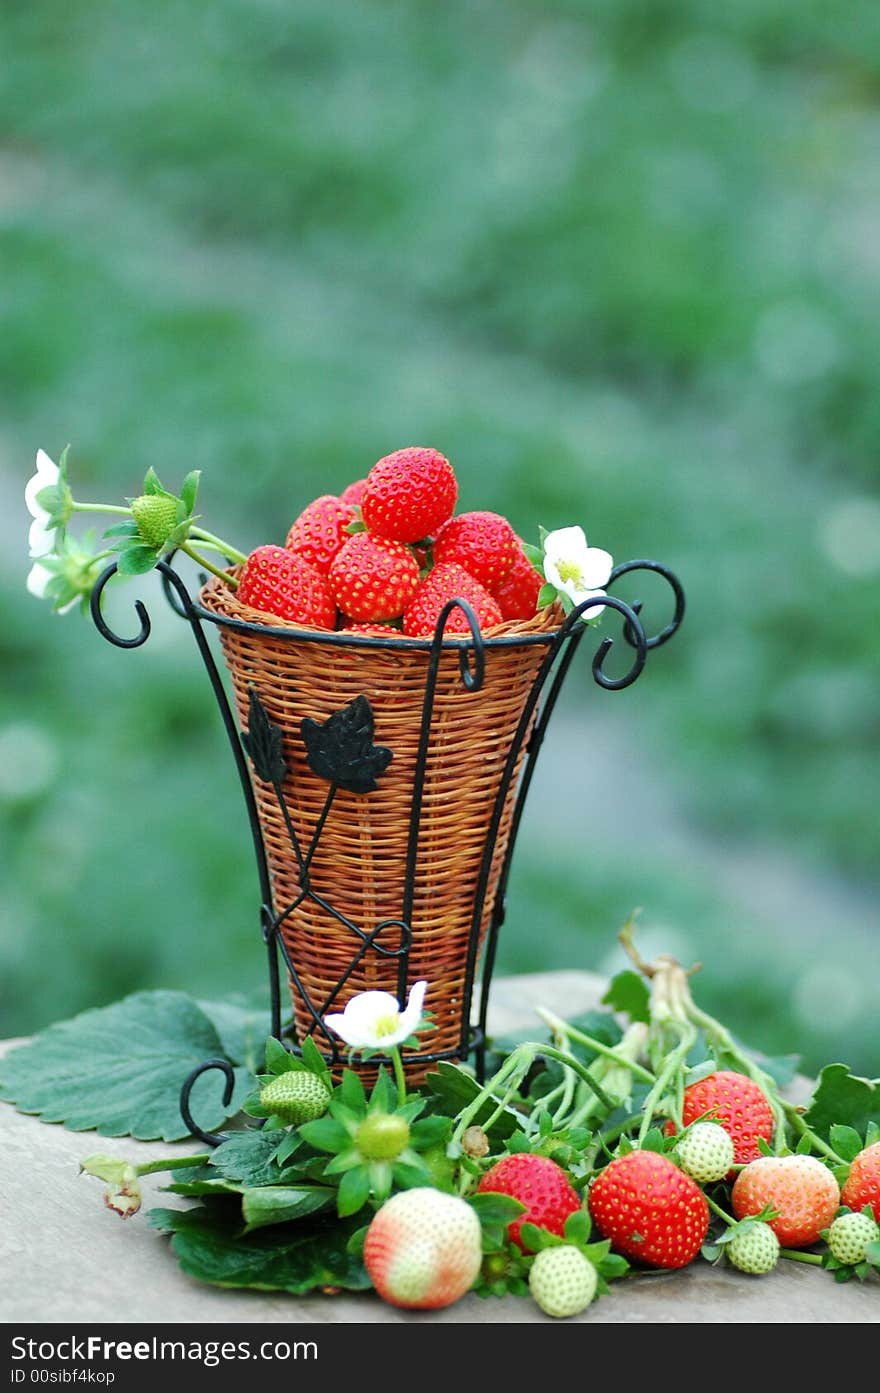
<point x="650" y="1210"/>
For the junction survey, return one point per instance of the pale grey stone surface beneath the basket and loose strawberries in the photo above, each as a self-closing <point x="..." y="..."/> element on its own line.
<point x="65" y="1257"/>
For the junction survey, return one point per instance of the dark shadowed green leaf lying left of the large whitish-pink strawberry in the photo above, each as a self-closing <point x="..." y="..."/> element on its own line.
<point x="211" y="1247"/>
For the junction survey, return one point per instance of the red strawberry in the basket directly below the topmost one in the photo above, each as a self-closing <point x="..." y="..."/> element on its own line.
<point x="374" y="579"/>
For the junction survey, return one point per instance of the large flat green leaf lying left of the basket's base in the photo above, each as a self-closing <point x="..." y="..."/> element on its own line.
<point x="120" y="1069"/>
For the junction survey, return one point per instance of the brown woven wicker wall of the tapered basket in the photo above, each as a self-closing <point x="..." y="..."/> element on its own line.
<point x="361" y="857"/>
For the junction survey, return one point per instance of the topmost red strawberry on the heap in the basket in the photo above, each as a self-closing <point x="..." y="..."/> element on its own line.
<point x="410" y="495"/>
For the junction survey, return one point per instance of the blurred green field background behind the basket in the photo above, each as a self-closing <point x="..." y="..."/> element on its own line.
<point x="622" y="263"/>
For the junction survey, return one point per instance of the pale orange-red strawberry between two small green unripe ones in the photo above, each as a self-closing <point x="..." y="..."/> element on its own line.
<point x="803" y="1192"/>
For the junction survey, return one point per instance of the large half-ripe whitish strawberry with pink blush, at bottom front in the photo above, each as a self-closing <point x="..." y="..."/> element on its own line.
<point x="424" y="1249"/>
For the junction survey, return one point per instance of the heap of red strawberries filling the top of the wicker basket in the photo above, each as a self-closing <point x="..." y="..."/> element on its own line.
<point x="386" y="557"/>
